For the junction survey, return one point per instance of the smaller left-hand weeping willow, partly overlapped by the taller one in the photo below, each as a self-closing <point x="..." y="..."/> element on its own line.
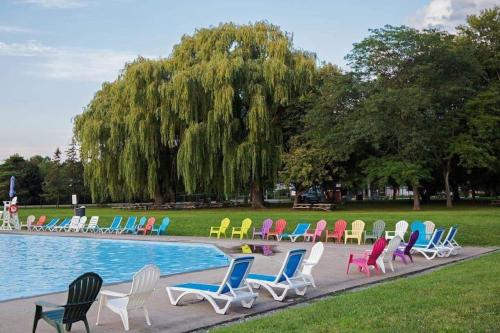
<point x="126" y="151"/>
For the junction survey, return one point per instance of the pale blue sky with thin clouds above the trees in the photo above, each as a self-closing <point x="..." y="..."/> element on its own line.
<point x="55" y="54"/>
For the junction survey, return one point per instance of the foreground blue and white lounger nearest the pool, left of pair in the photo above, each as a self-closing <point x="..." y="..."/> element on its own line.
<point x="232" y="289"/>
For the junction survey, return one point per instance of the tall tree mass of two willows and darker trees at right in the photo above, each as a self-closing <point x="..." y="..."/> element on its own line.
<point x="238" y="108"/>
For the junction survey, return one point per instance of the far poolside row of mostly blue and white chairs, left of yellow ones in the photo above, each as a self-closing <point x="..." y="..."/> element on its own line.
<point x="79" y="224"/>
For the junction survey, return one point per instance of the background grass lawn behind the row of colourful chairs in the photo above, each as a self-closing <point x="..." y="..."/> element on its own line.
<point x="479" y="225"/>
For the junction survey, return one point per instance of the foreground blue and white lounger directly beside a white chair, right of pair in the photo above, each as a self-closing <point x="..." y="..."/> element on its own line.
<point x="289" y="277"/>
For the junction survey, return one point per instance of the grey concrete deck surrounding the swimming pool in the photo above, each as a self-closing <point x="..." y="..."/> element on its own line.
<point x="17" y="315"/>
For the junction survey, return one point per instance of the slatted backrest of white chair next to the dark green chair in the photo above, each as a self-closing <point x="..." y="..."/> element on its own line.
<point x="143" y="284"/>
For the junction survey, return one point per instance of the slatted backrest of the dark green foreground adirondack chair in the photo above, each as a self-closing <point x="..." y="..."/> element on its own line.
<point x="81" y="295"/>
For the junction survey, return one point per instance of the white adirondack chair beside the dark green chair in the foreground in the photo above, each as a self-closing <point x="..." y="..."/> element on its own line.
<point x="143" y="285"/>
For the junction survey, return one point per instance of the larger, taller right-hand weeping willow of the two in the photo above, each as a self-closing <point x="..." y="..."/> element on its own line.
<point x="229" y="85"/>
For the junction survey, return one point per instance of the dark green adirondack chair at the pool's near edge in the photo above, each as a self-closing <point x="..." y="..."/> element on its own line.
<point x="81" y="294"/>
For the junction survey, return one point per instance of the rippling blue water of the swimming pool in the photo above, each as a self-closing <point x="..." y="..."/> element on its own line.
<point x="34" y="265"/>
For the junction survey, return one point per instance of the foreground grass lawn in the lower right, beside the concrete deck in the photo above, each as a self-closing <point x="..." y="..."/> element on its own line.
<point x="460" y="298"/>
